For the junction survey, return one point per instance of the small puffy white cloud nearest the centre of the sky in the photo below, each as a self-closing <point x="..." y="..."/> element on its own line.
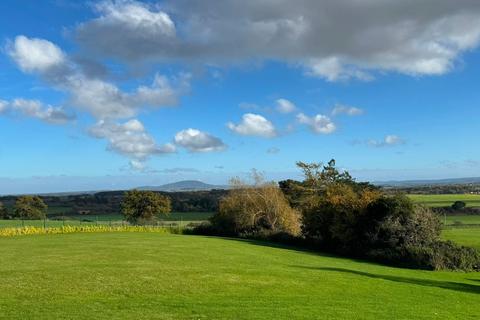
<point x="253" y="125"/>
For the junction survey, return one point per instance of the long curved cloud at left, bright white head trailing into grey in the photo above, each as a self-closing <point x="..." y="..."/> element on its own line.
<point x="102" y="99"/>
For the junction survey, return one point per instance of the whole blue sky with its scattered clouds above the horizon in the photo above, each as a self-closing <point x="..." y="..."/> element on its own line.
<point x="116" y="94"/>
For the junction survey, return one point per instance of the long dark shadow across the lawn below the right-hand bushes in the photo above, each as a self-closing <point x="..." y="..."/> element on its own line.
<point x="456" y="286"/>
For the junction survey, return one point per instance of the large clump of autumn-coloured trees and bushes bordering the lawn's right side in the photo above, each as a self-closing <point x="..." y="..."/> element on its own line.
<point x="330" y="211"/>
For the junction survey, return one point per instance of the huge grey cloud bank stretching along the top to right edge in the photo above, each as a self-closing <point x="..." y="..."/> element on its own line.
<point x="409" y="37"/>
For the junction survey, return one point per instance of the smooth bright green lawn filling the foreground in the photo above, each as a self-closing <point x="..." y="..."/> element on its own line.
<point x="152" y="276"/>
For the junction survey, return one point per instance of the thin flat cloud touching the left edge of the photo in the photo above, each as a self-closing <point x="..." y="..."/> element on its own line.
<point x="38" y="110"/>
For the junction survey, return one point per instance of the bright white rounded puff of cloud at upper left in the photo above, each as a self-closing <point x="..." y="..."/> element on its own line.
<point x="36" y="55"/>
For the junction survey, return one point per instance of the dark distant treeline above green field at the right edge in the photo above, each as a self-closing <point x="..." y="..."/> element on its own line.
<point x="437" y="189"/>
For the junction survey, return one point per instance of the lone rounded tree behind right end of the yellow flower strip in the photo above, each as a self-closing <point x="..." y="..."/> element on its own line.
<point x="143" y="207"/>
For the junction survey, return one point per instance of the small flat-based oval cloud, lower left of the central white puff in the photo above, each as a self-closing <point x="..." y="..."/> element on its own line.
<point x="197" y="141"/>
